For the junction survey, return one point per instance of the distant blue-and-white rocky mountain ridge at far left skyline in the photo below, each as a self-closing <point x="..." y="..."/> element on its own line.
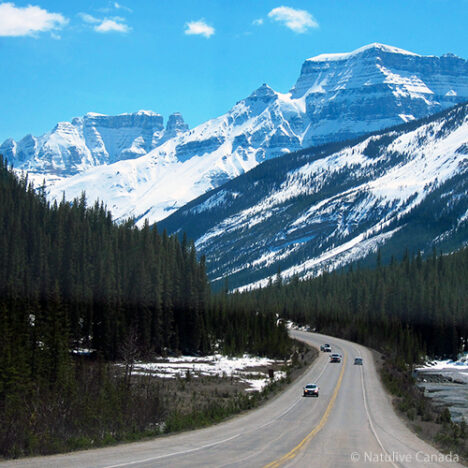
<point x="93" y="140"/>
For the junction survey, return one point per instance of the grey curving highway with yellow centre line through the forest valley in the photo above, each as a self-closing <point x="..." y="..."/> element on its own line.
<point x="351" y="424"/>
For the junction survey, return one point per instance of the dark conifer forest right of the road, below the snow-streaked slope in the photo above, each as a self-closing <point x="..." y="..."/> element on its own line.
<point x="409" y="308"/>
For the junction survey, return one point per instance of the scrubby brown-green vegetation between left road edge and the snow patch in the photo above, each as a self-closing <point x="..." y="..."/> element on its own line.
<point x="104" y="407"/>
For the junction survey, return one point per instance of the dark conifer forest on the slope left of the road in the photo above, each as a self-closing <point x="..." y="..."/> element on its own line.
<point x="71" y="277"/>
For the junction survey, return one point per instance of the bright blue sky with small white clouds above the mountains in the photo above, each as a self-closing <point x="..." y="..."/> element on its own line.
<point x="198" y="57"/>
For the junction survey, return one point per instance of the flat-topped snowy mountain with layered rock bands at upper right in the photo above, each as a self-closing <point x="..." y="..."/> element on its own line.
<point x="375" y="87"/>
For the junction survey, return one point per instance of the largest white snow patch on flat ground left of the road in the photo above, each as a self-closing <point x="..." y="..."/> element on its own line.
<point x="243" y="368"/>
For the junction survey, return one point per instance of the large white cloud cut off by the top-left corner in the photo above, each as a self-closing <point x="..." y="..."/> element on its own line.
<point x="27" y="21"/>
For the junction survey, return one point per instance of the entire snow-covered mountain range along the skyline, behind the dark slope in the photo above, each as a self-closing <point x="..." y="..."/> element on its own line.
<point x="144" y="171"/>
